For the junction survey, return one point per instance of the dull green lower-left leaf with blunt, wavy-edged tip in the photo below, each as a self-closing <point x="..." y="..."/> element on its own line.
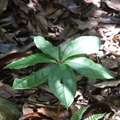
<point x="33" y="80"/>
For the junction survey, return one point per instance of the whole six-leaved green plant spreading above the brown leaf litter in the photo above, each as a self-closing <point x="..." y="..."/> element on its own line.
<point x="65" y="59"/>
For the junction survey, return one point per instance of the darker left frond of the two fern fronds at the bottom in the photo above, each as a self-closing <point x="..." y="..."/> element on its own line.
<point x="79" y="114"/>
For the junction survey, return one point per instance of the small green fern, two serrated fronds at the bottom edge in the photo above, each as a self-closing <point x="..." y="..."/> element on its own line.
<point x="79" y="114"/>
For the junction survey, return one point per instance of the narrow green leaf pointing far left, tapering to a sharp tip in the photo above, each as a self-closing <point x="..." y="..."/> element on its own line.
<point x="32" y="59"/>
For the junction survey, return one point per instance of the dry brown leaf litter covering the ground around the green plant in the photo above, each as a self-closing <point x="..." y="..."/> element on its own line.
<point x="60" y="21"/>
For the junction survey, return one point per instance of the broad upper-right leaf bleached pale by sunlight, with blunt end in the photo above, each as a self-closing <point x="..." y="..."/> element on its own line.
<point x="81" y="45"/>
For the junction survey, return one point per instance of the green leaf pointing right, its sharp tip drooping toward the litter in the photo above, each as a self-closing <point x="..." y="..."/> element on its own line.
<point x="88" y="68"/>
